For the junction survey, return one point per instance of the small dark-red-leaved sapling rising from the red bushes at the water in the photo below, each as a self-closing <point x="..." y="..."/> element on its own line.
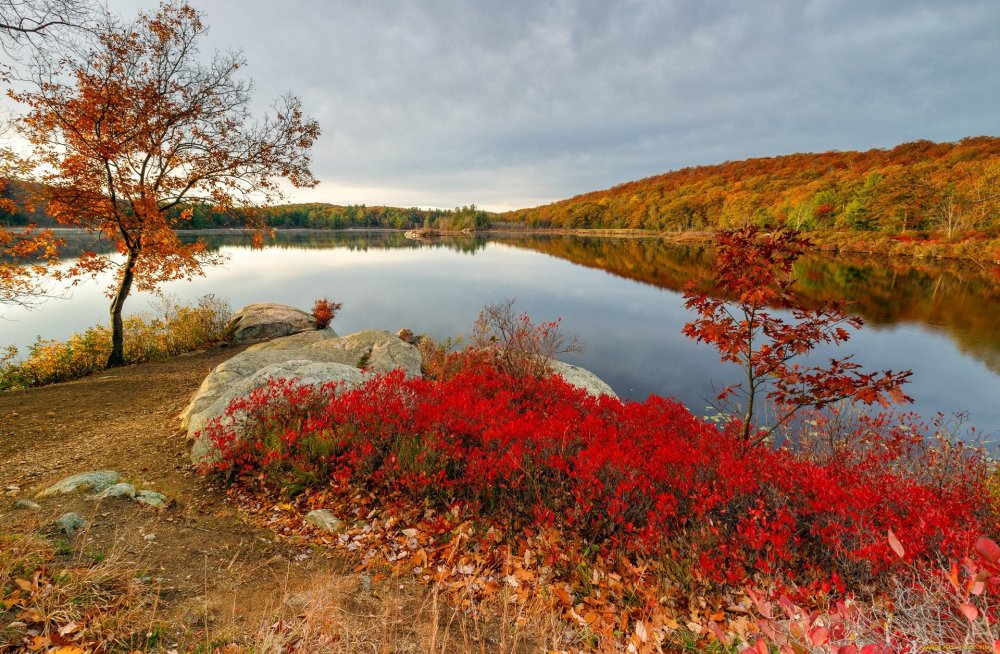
<point x="753" y="269"/>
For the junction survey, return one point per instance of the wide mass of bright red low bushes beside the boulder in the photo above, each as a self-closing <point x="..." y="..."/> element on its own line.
<point x="638" y="478"/>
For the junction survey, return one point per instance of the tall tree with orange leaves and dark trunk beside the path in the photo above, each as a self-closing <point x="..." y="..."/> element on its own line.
<point x="135" y="125"/>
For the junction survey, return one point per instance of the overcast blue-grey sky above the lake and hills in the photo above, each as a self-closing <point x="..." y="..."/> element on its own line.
<point x="522" y="102"/>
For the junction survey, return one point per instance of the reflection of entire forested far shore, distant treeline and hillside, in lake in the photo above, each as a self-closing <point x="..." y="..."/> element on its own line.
<point x="961" y="301"/>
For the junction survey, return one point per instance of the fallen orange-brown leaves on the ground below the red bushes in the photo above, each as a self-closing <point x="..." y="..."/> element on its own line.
<point x="607" y="603"/>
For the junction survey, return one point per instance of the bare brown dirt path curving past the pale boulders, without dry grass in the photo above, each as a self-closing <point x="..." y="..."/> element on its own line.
<point x="215" y="571"/>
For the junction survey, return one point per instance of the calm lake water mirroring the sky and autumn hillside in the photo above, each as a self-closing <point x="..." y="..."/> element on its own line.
<point x="620" y="296"/>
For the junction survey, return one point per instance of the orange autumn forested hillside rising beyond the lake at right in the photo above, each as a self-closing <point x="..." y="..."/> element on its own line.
<point x="945" y="188"/>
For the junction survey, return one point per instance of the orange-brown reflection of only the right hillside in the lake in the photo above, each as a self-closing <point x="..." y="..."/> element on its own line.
<point x="962" y="302"/>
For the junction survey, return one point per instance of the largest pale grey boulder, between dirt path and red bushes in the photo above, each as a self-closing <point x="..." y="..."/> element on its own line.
<point x="315" y="357"/>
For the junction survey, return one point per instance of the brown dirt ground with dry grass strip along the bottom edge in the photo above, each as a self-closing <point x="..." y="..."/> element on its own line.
<point x="217" y="578"/>
